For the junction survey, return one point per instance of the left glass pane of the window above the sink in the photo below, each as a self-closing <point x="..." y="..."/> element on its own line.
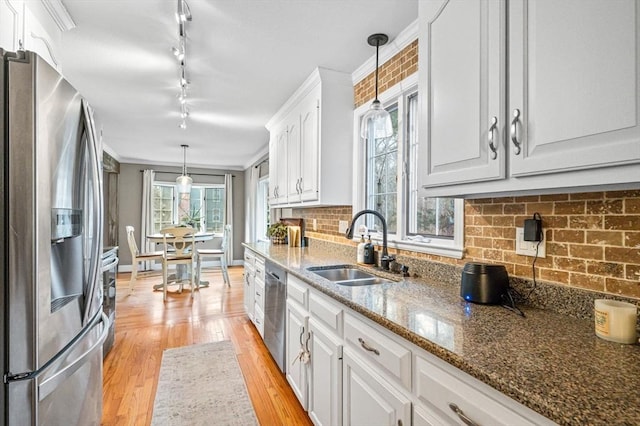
<point x="382" y="176"/>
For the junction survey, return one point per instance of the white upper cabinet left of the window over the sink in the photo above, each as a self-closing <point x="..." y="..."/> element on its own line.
<point x="311" y="143"/>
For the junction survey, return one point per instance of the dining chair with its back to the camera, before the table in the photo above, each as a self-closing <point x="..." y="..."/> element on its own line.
<point x="178" y="244"/>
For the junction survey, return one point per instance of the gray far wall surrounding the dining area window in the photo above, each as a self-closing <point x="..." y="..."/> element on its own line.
<point x="130" y="202"/>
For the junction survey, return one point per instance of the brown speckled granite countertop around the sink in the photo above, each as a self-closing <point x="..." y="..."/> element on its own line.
<point x="551" y="363"/>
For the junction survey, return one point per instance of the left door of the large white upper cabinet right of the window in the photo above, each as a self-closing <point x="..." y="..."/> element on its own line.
<point x="461" y="67"/>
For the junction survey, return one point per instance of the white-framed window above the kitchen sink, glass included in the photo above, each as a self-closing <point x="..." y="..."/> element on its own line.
<point x="389" y="182"/>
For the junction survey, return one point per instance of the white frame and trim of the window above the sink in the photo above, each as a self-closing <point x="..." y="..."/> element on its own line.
<point x="400" y="94"/>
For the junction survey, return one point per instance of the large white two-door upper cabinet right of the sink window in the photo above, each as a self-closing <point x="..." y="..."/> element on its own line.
<point x="566" y="105"/>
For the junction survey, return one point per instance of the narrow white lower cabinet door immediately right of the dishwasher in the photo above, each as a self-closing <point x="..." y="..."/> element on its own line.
<point x="296" y="337"/>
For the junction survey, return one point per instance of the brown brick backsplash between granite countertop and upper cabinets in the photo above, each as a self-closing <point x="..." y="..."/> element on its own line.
<point x="592" y="239"/>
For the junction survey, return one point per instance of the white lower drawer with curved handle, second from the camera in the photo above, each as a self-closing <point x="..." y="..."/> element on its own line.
<point x="380" y="349"/>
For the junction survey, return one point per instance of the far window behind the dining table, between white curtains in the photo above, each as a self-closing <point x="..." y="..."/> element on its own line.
<point x="203" y="208"/>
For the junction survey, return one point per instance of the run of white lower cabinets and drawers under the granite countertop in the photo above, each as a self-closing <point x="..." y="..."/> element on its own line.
<point x="360" y="373"/>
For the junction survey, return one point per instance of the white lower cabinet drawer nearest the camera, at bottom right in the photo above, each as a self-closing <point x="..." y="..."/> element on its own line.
<point x="442" y="388"/>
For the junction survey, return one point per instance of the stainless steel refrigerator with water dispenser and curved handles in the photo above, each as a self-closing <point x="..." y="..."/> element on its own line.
<point x="52" y="326"/>
